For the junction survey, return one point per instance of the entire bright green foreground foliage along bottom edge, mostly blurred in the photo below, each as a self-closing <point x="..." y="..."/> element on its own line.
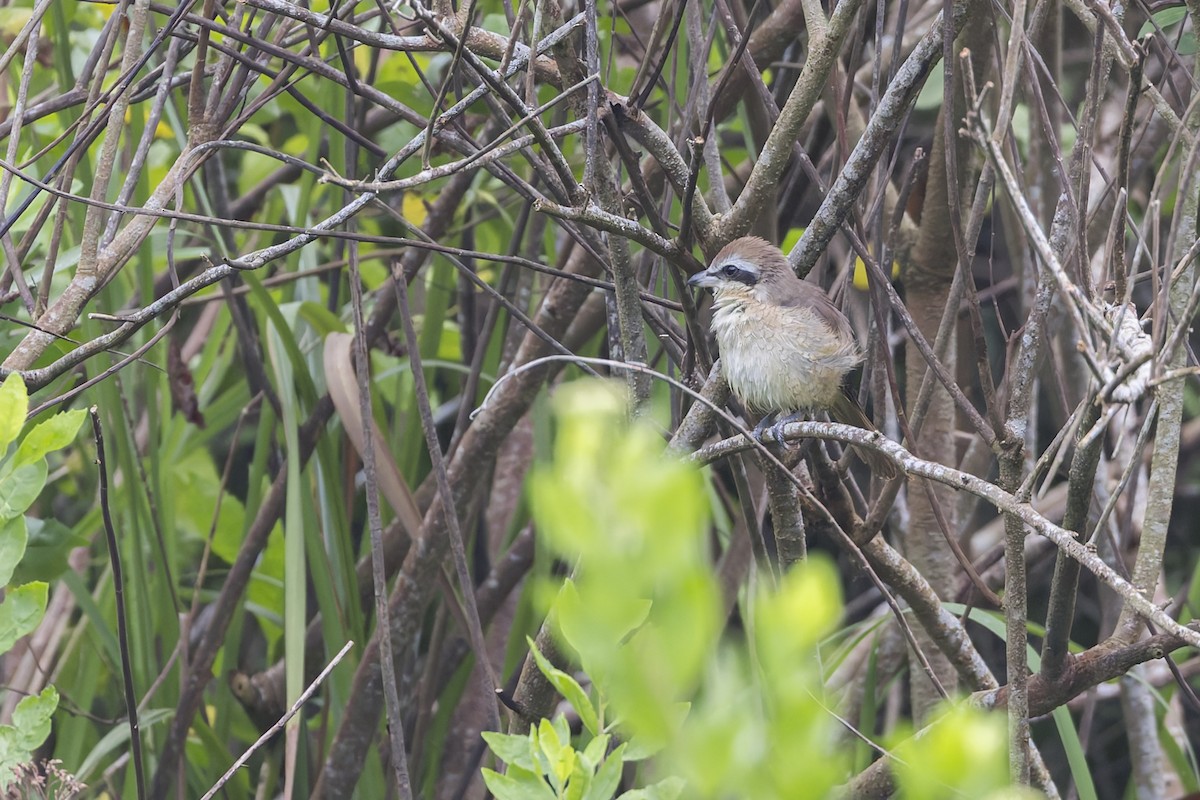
<point x="742" y="718"/>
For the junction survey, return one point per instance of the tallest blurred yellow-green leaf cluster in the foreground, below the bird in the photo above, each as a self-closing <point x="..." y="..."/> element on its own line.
<point x="637" y="524"/>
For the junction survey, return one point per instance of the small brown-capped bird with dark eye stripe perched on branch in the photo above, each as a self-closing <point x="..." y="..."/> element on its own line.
<point x="785" y="347"/>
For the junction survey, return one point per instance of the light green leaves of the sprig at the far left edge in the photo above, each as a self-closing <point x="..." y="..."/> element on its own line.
<point x="23" y="476"/>
